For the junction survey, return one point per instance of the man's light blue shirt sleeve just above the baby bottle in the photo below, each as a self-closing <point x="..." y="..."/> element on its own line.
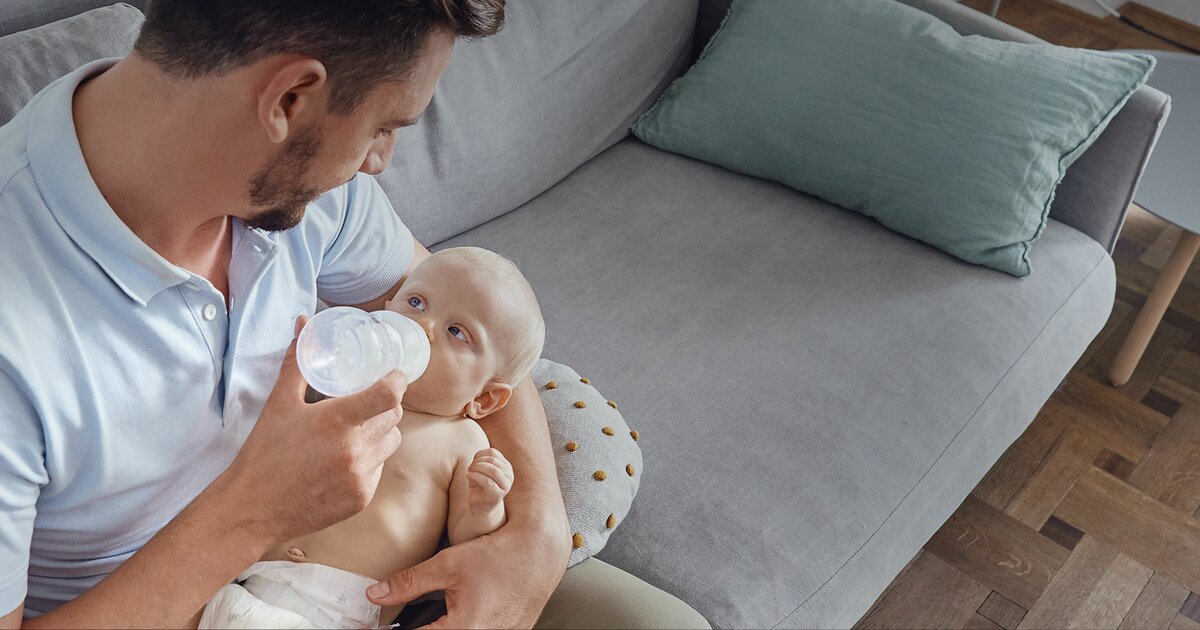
<point x="371" y="250"/>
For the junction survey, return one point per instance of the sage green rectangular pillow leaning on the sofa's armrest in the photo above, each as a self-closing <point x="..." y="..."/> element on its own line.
<point x="881" y="109"/>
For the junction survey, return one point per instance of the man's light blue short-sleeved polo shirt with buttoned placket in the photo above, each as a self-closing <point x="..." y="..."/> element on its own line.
<point x="127" y="387"/>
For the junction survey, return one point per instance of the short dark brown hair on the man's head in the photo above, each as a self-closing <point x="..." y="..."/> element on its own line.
<point x="361" y="43"/>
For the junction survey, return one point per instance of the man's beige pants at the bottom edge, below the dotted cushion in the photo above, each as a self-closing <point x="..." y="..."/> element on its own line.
<point x="595" y="595"/>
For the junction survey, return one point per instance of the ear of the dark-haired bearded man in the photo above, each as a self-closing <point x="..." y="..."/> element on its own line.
<point x="293" y="91"/>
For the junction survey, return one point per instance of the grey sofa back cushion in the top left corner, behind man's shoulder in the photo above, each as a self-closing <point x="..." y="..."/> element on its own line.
<point x="32" y="59"/>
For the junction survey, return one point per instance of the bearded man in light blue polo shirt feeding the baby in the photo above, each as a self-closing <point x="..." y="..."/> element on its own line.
<point x="167" y="232"/>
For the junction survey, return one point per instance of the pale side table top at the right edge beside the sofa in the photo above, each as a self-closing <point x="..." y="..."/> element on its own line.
<point x="1171" y="188"/>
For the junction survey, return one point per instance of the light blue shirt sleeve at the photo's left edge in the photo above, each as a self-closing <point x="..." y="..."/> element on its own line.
<point x="22" y="477"/>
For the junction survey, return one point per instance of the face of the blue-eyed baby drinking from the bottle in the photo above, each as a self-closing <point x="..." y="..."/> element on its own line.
<point x="471" y="326"/>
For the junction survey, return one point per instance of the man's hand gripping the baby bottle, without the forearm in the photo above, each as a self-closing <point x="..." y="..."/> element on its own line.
<point x="305" y="467"/>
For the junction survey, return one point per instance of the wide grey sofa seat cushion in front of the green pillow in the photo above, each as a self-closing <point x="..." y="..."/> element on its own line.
<point x="818" y="394"/>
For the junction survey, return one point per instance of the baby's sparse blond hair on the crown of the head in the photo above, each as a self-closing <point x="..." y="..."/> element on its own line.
<point x="506" y="275"/>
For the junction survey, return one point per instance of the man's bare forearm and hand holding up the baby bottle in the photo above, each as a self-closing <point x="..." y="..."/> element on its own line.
<point x="283" y="484"/>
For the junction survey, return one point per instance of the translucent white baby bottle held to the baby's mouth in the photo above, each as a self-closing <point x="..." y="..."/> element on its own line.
<point x="344" y="351"/>
